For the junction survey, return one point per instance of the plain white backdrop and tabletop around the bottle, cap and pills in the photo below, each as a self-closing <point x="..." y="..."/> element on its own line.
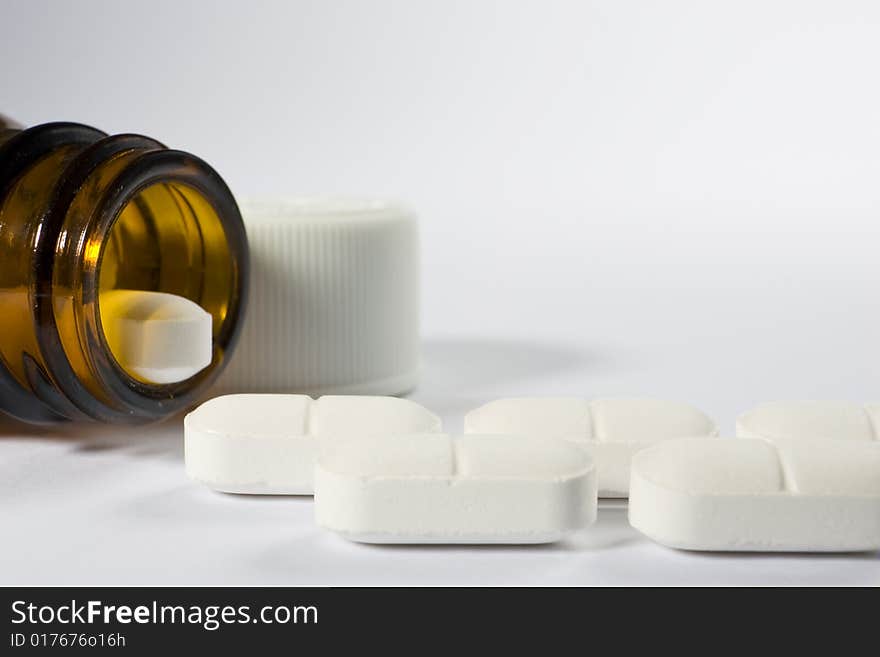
<point x="673" y="199"/>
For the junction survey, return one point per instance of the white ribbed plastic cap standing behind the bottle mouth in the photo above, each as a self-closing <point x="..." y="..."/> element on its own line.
<point x="334" y="299"/>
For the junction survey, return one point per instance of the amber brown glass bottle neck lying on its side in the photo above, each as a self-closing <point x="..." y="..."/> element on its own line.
<point x="82" y="213"/>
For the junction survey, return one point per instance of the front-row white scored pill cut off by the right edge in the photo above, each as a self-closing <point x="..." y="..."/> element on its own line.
<point x="755" y="495"/>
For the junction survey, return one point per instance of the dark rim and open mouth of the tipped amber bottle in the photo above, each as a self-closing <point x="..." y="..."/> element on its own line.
<point x="175" y="230"/>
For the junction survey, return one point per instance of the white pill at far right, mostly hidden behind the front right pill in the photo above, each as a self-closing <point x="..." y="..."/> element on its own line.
<point x="826" y="420"/>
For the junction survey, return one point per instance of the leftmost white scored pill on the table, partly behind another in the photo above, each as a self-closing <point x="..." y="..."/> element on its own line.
<point x="268" y="444"/>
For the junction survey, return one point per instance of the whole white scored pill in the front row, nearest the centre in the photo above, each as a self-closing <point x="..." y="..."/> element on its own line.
<point x="438" y="489"/>
